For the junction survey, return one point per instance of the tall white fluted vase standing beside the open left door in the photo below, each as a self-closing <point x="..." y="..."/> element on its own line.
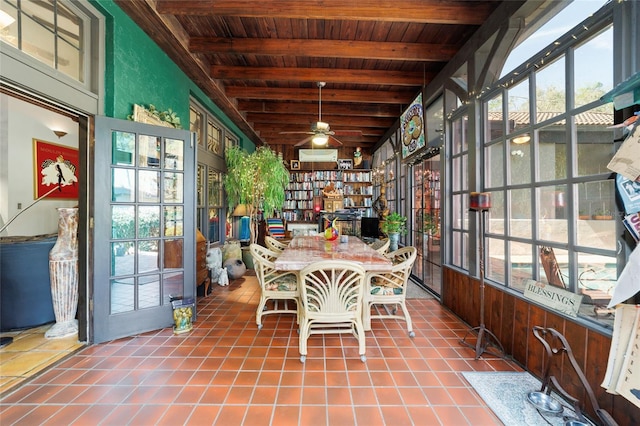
<point x="63" y="273"/>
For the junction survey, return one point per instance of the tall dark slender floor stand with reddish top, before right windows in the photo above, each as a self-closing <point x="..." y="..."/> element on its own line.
<point x="481" y="203"/>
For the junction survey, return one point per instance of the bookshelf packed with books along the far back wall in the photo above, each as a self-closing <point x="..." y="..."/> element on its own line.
<point x="304" y="192"/>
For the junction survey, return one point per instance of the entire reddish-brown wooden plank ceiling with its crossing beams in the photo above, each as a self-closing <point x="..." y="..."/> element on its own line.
<point x="261" y="61"/>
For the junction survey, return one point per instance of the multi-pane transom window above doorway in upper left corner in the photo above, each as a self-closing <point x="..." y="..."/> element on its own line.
<point x="54" y="32"/>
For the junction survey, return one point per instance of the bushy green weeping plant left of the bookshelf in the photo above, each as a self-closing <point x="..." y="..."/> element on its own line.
<point x="256" y="179"/>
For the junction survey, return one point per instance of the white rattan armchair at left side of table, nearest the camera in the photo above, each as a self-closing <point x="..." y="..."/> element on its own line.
<point x="275" y="285"/>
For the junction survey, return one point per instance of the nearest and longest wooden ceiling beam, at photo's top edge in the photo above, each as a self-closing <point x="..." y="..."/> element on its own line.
<point x="413" y="11"/>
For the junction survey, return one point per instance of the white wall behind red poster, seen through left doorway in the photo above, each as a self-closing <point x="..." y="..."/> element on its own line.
<point x="20" y="122"/>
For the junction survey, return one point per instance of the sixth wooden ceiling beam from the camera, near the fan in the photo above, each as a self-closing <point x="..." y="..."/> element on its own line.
<point x="333" y="120"/>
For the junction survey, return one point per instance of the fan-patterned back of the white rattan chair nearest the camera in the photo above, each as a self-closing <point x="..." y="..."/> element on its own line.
<point x="332" y="290"/>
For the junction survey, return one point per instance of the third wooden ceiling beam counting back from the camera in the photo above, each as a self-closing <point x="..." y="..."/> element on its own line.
<point x="354" y="76"/>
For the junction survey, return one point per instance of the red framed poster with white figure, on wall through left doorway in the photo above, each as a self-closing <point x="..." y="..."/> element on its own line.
<point x="55" y="166"/>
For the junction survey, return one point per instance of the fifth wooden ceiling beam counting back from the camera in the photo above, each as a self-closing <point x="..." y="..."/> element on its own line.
<point x="370" y="110"/>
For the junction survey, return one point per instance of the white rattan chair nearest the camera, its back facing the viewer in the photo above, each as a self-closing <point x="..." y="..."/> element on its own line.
<point x="331" y="293"/>
